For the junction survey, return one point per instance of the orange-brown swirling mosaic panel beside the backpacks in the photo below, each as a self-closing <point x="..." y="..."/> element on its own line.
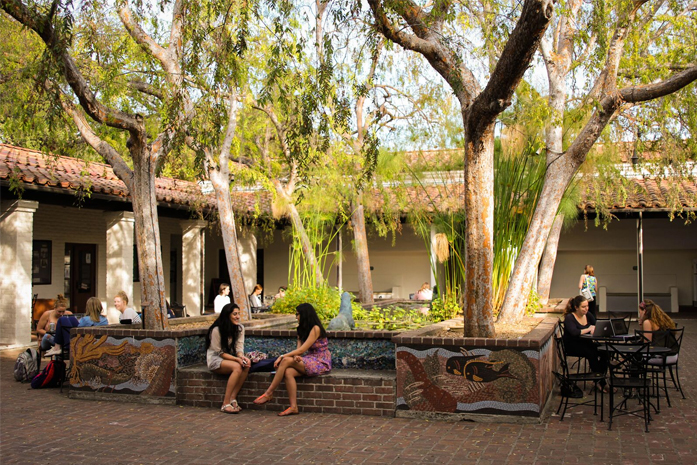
<point x="123" y="365"/>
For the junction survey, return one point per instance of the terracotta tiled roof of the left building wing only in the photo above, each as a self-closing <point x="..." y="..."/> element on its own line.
<point x="55" y="171"/>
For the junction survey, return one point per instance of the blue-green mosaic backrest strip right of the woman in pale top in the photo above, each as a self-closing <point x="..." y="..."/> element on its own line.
<point x="373" y="354"/>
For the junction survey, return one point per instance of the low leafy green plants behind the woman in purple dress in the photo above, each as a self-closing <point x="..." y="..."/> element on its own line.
<point x="325" y="299"/>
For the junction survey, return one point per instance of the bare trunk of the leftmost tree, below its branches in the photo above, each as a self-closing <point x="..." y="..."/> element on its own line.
<point x="152" y="277"/>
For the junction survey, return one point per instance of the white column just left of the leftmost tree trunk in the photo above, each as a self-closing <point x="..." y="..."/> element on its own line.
<point x="120" y="229"/>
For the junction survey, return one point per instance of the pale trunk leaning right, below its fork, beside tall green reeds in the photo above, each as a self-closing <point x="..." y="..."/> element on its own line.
<point x="558" y="176"/>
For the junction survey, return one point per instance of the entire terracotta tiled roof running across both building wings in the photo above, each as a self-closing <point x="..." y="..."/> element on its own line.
<point x="53" y="171"/>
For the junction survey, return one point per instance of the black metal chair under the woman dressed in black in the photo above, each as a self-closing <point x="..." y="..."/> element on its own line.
<point x="568" y="383"/>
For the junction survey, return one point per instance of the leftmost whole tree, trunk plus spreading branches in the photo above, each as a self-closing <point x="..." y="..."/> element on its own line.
<point x="84" y="88"/>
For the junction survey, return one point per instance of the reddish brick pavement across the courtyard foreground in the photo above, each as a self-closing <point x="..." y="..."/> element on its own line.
<point x="44" y="426"/>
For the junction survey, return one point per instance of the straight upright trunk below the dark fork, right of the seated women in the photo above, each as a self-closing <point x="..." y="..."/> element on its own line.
<point x="479" y="237"/>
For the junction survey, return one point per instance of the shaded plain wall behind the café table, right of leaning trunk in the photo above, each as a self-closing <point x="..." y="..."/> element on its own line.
<point x="669" y="249"/>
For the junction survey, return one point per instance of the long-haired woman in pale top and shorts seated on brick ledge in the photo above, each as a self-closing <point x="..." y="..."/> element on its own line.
<point x="225" y="354"/>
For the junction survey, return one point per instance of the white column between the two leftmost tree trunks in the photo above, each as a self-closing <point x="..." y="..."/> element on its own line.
<point x="193" y="290"/>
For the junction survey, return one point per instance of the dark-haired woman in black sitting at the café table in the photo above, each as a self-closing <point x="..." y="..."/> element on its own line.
<point x="578" y="321"/>
